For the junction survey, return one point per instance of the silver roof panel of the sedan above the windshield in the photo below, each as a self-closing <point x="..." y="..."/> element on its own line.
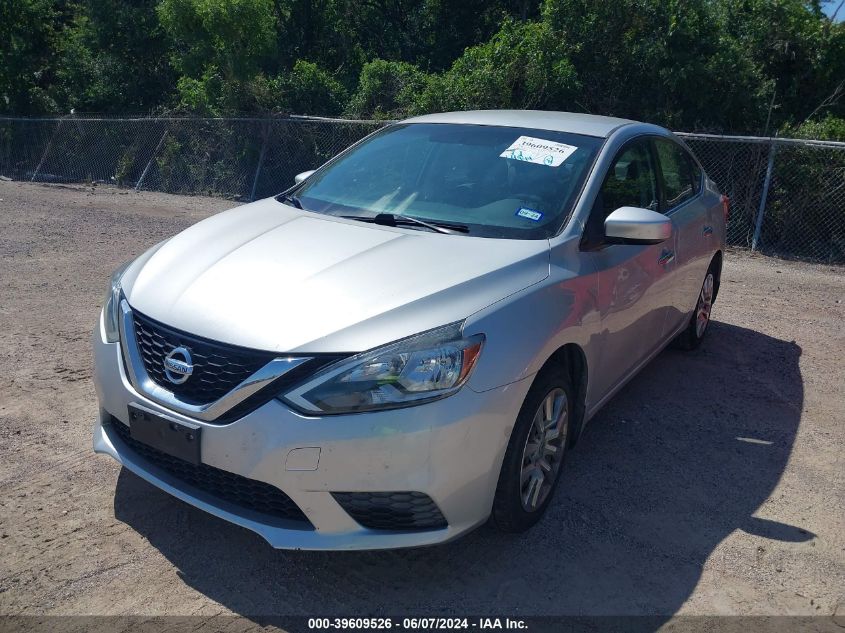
<point x="573" y="122"/>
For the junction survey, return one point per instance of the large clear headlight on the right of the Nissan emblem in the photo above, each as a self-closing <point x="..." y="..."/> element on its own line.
<point x="418" y="369"/>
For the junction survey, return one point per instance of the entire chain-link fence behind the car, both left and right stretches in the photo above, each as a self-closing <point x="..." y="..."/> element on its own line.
<point x="787" y="196"/>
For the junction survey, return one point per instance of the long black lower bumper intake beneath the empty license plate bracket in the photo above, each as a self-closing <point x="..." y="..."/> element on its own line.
<point x="234" y="489"/>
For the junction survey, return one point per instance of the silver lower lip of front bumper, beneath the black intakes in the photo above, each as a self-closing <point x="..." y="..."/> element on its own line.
<point x="280" y="534"/>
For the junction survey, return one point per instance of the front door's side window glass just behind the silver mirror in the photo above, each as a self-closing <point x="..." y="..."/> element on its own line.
<point x="631" y="181"/>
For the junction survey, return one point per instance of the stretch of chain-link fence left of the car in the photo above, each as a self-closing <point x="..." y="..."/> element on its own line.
<point x="243" y="158"/>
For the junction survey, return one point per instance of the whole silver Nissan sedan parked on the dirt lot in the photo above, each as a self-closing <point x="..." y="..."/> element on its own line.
<point x="408" y="341"/>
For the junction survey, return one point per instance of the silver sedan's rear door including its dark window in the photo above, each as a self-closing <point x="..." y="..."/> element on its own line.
<point x="682" y="201"/>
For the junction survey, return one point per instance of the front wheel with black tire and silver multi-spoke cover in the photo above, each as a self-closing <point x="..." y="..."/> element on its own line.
<point x="520" y="501"/>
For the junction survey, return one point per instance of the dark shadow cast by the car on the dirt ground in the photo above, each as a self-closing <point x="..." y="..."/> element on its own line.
<point x="677" y="461"/>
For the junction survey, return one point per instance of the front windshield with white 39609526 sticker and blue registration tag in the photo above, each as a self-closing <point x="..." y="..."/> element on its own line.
<point x="500" y="182"/>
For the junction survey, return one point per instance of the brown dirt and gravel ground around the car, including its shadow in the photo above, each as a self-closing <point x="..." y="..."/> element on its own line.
<point x="712" y="484"/>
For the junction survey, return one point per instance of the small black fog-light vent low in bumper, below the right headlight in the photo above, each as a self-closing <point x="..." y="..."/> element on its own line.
<point x="392" y="510"/>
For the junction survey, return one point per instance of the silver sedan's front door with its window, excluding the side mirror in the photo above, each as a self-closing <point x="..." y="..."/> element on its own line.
<point x="634" y="290"/>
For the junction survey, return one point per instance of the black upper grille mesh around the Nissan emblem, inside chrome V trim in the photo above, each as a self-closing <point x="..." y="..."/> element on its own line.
<point x="218" y="367"/>
